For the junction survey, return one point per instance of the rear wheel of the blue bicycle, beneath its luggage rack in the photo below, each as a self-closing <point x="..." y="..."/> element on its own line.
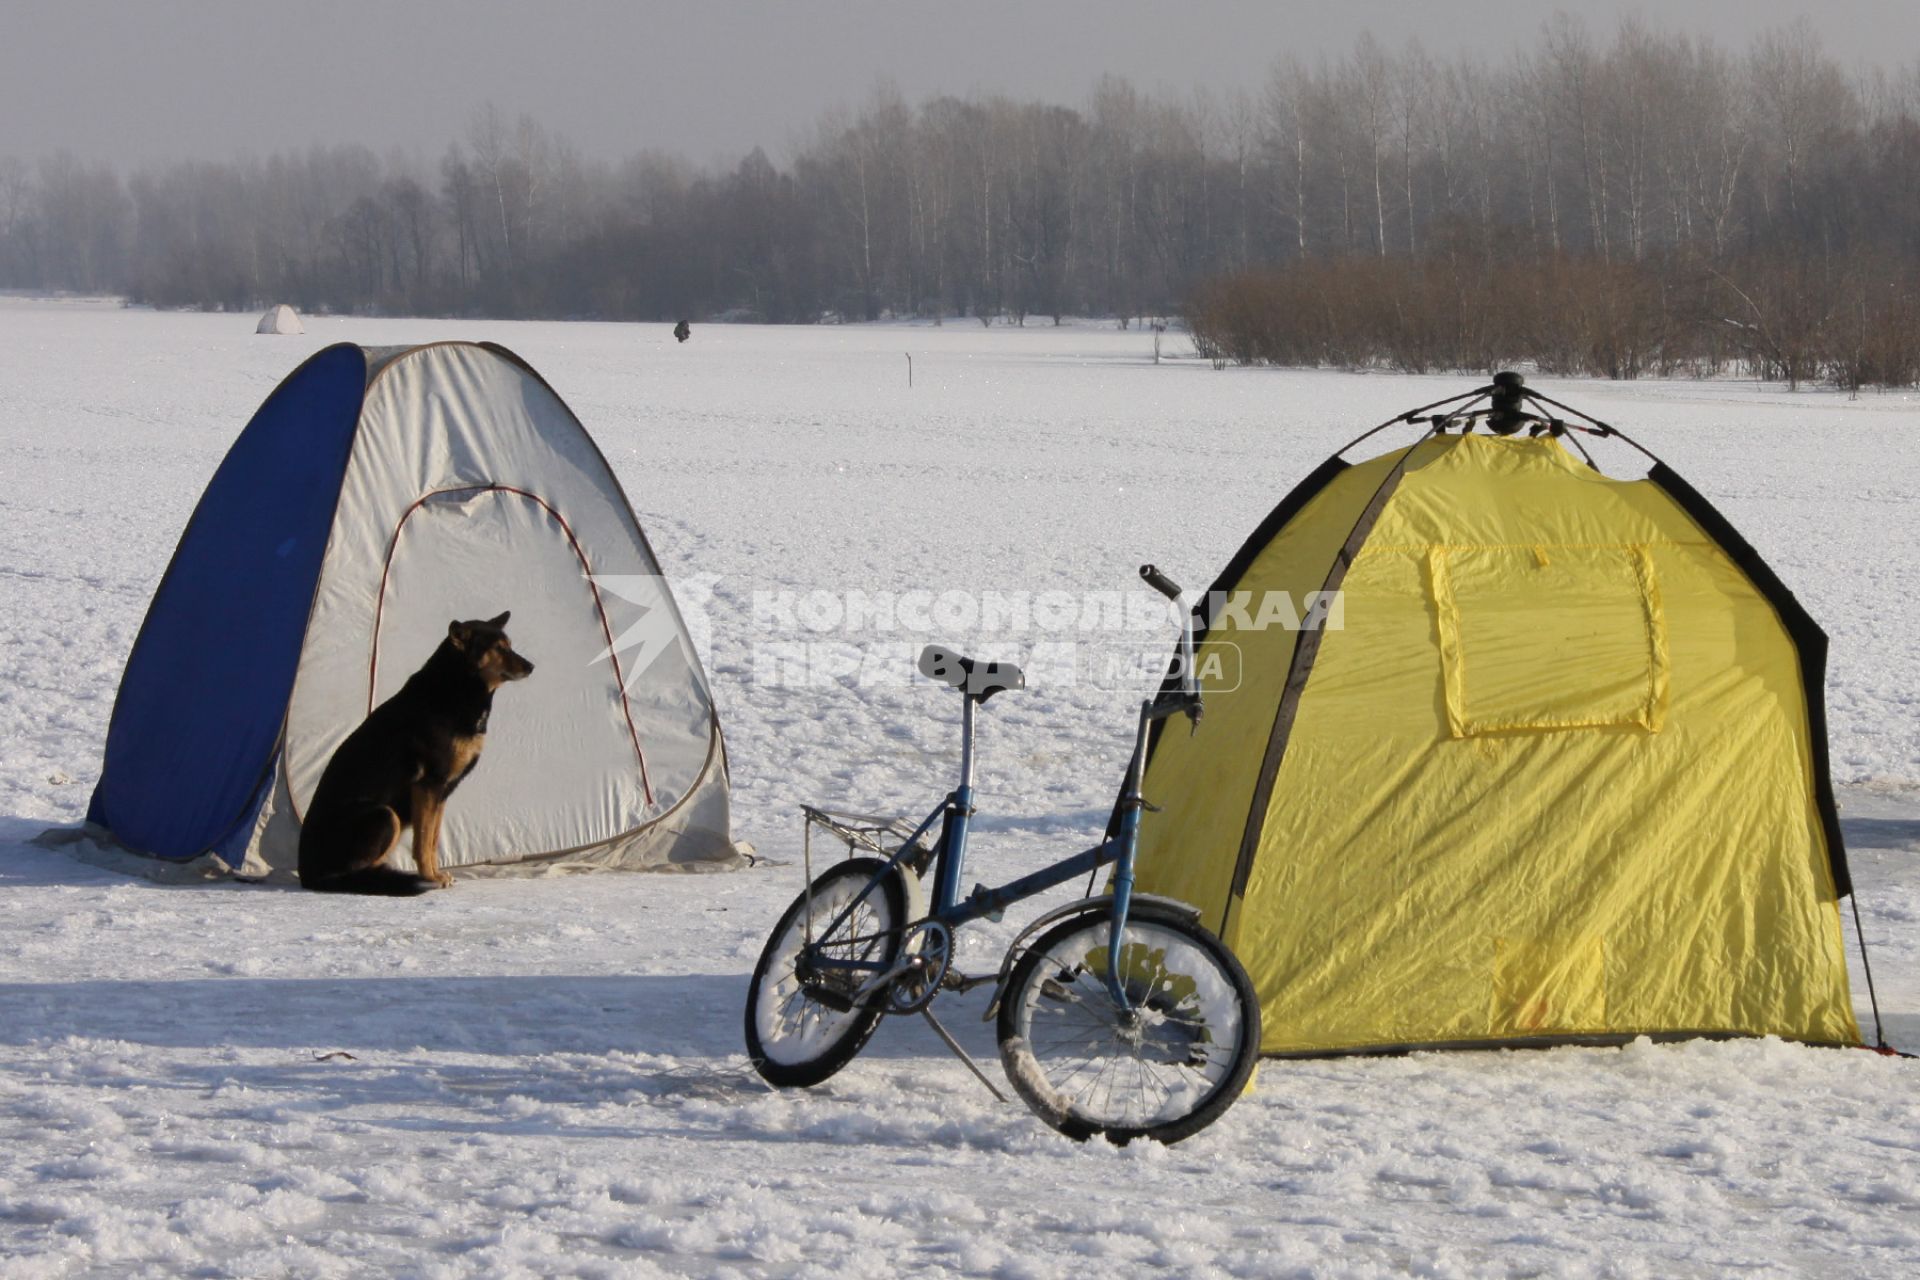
<point x="804" y="1026"/>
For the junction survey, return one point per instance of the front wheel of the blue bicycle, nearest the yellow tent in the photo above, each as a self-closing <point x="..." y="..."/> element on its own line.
<point x="1166" y="1070"/>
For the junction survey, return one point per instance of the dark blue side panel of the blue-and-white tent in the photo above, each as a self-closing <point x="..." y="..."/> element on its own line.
<point x="204" y="696"/>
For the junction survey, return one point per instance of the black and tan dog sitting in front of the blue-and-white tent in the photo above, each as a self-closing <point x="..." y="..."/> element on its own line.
<point x="402" y="765"/>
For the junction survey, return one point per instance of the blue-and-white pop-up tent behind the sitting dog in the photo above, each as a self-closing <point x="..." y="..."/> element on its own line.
<point x="377" y="496"/>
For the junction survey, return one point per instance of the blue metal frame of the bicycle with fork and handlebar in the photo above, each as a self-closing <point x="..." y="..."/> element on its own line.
<point x="951" y="911"/>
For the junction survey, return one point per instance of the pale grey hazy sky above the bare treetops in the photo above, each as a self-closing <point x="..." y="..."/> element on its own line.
<point x="208" y="80"/>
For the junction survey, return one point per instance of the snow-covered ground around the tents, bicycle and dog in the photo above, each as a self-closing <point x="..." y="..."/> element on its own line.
<point x="546" y="1078"/>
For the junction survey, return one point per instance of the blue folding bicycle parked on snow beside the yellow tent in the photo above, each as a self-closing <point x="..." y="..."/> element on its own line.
<point x="1124" y="1018"/>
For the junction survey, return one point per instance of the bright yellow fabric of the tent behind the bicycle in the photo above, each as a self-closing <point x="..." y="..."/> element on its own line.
<point x="1552" y="772"/>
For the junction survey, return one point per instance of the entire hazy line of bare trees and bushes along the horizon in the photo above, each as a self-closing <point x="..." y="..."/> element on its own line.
<point x="1637" y="202"/>
